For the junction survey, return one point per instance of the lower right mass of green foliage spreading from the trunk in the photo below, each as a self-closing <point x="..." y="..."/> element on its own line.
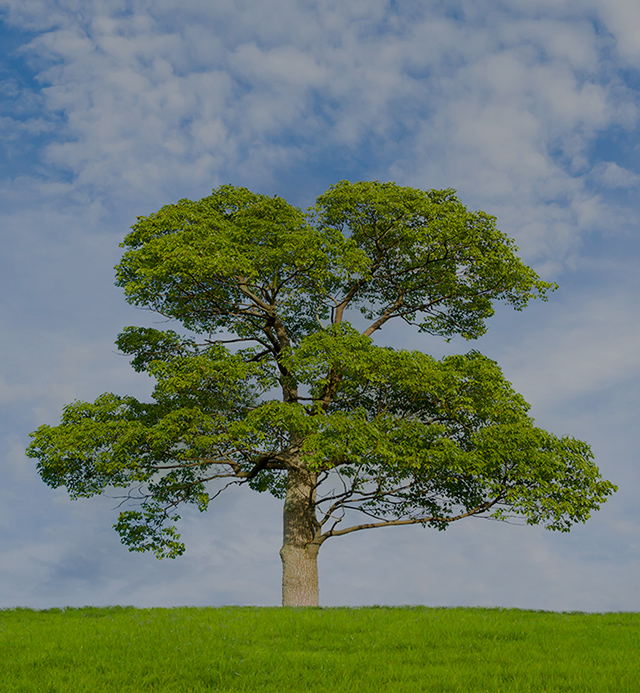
<point x="418" y="437"/>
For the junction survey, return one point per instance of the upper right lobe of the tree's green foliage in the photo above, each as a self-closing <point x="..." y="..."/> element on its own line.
<point x="430" y="255"/>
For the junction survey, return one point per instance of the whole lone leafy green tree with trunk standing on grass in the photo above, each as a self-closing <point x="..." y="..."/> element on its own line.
<point x="268" y="385"/>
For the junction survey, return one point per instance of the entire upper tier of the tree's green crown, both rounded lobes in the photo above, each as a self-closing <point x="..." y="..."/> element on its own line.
<point x="235" y="259"/>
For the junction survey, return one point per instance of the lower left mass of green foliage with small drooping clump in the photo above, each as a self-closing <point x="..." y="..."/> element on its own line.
<point x="203" y="411"/>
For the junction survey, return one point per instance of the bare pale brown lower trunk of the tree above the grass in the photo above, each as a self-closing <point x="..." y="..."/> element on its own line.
<point x="299" y="555"/>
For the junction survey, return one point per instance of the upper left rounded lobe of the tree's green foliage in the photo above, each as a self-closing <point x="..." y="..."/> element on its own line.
<point x="199" y="262"/>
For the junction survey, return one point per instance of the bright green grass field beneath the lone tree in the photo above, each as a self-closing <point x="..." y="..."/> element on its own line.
<point x="317" y="650"/>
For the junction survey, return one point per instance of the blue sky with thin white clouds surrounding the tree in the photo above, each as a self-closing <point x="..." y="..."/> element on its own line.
<point x="531" y="111"/>
